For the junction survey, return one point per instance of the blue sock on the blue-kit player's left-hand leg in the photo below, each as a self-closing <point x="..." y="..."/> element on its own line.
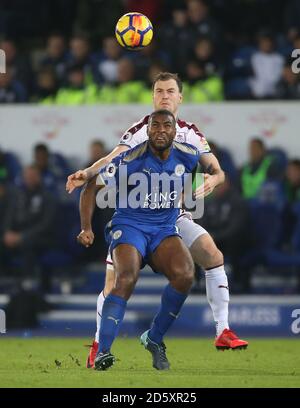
<point x="112" y="316"/>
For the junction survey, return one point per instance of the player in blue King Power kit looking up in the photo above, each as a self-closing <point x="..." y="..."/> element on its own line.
<point x="147" y="234"/>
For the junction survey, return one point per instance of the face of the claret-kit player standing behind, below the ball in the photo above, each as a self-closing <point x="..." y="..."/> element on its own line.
<point x="166" y="95"/>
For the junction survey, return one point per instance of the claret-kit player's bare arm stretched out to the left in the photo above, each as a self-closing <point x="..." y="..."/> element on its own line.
<point x="80" y="177"/>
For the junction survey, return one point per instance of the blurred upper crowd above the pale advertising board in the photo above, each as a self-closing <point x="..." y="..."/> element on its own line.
<point x="64" y="52"/>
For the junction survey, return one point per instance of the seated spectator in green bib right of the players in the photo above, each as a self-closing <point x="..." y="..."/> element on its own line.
<point x="260" y="167"/>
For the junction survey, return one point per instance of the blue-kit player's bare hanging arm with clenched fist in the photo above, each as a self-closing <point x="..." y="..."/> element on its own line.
<point x="86" y="210"/>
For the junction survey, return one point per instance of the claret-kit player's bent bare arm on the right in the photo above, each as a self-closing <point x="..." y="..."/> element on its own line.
<point x="213" y="175"/>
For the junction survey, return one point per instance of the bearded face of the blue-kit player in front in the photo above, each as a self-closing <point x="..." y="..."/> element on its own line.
<point x="161" y="132"/>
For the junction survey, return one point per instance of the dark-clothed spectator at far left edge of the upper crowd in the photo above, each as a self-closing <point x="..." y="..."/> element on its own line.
<point x="18" y="65"/>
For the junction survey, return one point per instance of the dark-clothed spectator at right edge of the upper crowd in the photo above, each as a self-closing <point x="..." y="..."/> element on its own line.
<point x="289" y="85"/>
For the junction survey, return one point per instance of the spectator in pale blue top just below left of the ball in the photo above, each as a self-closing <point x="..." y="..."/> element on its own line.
<point x="105" y="62"/>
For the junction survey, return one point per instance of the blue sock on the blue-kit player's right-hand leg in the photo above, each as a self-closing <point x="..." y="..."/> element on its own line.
<point x="171" y="303"/>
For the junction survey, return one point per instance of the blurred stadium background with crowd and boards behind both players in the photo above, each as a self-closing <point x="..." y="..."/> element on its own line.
<point x="62" y="55"/>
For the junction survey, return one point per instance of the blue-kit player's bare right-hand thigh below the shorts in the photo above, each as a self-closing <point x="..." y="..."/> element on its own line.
<point x="173" y="258"/>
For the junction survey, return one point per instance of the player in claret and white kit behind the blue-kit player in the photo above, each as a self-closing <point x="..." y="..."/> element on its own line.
<point x="167" y="94"/>
